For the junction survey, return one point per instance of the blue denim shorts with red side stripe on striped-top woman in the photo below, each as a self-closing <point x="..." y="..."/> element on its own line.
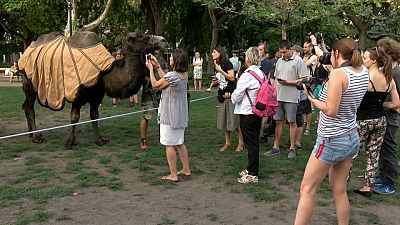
<point x="336" y="149"/>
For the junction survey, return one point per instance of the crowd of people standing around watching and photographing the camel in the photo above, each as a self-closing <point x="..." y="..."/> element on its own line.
<point x="355" y="92"/>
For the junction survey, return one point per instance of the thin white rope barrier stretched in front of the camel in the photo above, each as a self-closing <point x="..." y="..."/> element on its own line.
<point x="88" y="121"/>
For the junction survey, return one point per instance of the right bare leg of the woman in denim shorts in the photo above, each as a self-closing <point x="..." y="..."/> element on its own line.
<point x="338" y="181"/>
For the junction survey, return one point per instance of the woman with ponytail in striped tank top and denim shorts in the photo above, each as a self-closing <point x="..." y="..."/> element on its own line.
<point x="337" y="140"/>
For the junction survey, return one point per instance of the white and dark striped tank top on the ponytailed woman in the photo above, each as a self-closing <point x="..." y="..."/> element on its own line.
<point x="345" y="119"/>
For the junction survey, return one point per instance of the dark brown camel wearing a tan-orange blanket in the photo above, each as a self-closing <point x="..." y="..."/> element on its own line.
<point x="117" y="78"/>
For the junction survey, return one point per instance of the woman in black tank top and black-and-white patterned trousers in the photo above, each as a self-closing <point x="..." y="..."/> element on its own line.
<point x="371" y="118"/>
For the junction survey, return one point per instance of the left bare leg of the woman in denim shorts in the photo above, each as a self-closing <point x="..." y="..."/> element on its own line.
<point x="314" y="174"/>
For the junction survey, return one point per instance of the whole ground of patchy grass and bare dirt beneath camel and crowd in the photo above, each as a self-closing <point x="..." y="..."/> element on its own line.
<point x="120" y="184"/>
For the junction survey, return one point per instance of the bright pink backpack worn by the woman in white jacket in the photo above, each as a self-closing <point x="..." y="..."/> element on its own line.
<point x="266" y="103"/>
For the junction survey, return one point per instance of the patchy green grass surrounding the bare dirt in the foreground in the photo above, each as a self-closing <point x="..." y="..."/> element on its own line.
<point x="40" y="173"/>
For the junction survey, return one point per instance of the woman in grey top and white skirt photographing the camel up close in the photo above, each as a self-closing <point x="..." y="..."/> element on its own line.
<point x="173" y="110"/>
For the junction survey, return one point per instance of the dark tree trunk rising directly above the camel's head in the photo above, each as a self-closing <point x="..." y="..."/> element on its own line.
<point x="154" y="16"/>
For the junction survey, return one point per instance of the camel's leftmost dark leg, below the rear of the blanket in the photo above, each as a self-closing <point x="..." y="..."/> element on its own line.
<point x="29" y="108"/>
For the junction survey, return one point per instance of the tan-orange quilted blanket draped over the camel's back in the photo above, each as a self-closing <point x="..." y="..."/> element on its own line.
<point x="57" y="70"/>
